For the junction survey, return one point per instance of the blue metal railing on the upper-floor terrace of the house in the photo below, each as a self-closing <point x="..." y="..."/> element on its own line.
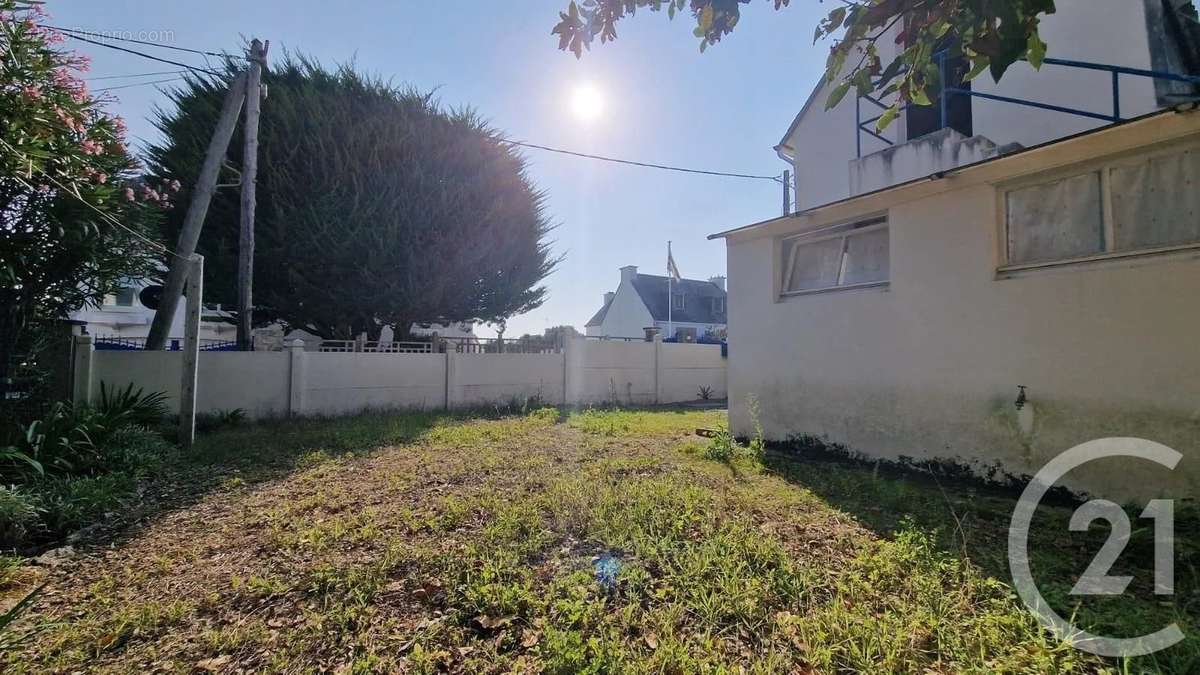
<point x="861" y="126"/>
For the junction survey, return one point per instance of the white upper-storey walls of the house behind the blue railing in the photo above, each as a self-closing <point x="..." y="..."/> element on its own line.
<point x="1103" y="32"/>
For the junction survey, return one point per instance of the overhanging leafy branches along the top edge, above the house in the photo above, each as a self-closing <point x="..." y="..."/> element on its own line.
<point x="993" y="35"/>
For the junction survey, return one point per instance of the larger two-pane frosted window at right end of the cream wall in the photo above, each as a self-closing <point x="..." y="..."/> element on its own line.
<point x="1155" y="205"/>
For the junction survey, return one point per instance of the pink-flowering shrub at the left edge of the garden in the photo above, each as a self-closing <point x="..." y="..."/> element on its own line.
<point x="75" y="219"/>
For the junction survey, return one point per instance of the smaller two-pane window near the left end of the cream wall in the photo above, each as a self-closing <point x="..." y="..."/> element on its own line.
<point x="850" y="256"/>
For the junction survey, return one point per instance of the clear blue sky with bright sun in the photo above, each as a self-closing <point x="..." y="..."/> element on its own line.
<point x="662" y="101"/>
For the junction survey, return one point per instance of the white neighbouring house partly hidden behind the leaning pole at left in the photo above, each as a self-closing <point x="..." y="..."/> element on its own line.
<point x="122" y="320"/>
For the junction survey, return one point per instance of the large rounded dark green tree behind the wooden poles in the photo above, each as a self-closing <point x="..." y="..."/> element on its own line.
<point x="376" y="207"/>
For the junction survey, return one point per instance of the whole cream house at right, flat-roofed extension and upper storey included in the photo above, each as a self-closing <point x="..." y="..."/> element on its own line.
<point x="994" y="253"/>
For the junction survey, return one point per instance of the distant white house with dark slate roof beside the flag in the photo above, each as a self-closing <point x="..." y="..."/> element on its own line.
<point x="683" y="310"/>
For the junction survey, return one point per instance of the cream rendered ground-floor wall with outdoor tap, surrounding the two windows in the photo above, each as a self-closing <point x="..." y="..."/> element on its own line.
<point x="929" y="367"/>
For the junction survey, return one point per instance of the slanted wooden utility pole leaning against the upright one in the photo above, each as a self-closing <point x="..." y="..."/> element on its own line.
<point x="206" y="184"/>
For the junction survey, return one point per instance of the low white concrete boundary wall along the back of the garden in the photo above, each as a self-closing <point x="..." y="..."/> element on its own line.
<point x="298" y="383"/>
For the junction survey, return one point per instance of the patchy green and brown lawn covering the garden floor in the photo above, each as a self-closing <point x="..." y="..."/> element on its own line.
<point x="553" y="542"/>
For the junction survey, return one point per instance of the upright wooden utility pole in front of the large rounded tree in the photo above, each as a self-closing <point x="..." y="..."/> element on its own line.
<point x="249" y="175"/>
